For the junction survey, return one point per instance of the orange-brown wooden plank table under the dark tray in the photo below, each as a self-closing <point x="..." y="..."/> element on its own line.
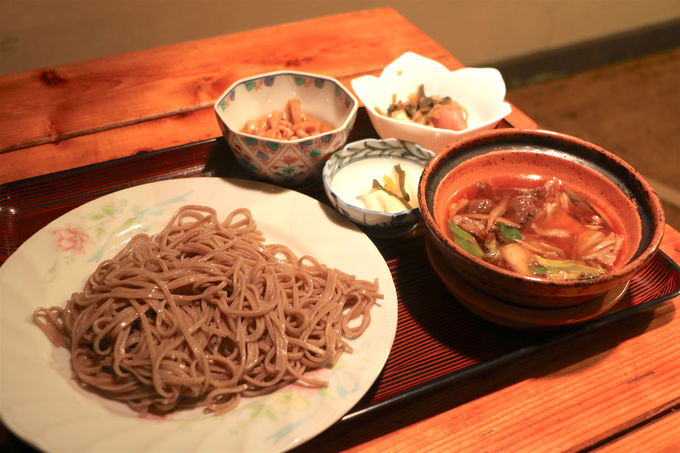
<point x="614" y="389"/>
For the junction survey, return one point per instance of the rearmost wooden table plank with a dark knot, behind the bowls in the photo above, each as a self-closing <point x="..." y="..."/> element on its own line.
<point x="54" y="104"/>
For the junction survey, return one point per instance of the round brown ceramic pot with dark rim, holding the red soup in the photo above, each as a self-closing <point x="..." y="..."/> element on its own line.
<point x="606" y="180"/>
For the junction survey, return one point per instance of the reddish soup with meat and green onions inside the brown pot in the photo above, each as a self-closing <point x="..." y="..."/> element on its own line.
<point x="535" y="226"/>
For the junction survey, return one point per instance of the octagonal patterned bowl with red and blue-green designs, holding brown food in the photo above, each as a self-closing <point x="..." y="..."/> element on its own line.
<point x="285" y="162"/>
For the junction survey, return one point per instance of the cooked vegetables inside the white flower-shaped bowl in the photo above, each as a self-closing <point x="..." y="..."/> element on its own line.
<point x="435" y="111"/>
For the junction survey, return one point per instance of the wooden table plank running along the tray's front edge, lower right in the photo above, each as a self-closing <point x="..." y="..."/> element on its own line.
<point x="564" y="399"/>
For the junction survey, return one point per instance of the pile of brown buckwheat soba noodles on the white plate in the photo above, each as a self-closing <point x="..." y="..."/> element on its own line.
<point x="204" y="313"/>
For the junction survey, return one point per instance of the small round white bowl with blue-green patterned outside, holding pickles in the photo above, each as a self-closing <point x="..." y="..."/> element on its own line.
<point x="349" y="173"/>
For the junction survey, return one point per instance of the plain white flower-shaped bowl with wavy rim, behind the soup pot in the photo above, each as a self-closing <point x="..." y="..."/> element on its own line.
<point x="481" y="91"/>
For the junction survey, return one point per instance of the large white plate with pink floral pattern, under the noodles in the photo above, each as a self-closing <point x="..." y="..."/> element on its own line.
<point x="42" y="404"/>
